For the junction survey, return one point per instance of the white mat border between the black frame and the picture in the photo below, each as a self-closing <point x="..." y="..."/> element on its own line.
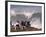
<point x="27" y="32"/>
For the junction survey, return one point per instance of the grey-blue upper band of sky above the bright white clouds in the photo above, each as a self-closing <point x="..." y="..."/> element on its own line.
<point x="22" y="8"/>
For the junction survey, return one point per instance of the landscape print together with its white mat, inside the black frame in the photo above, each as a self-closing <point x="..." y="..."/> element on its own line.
<point x="25" y="18"/>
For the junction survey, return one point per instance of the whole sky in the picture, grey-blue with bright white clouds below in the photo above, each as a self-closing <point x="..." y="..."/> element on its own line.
<point x="25" y="9"/>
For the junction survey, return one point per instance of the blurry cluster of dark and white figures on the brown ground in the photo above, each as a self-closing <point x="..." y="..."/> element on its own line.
<point x="22" y="24"/>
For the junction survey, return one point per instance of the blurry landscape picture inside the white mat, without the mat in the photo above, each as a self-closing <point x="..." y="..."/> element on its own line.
<point x="25" y="18"/>
